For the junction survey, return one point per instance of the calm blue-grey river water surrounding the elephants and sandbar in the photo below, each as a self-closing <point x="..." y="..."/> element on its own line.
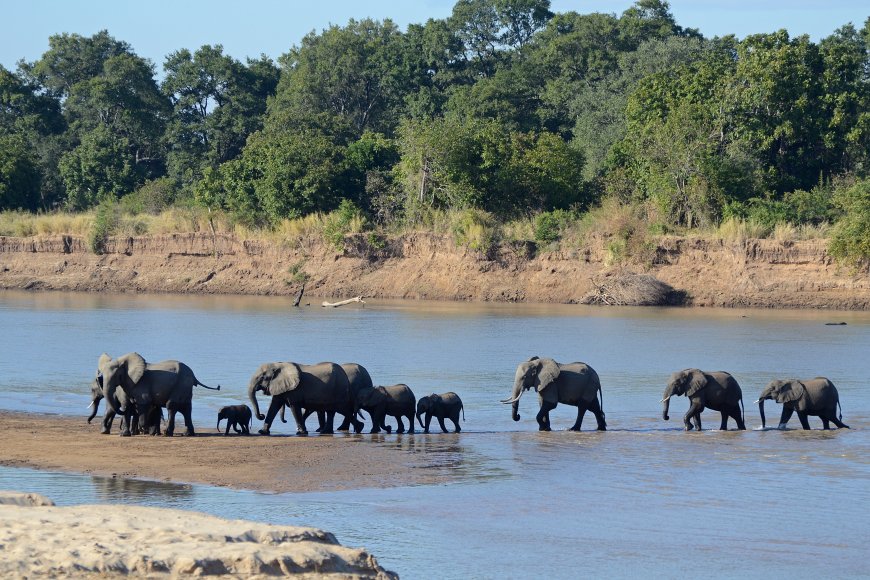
<point x="643" y="499"/>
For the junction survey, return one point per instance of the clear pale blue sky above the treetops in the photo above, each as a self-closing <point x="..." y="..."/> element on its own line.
<point x="158" y="27"/>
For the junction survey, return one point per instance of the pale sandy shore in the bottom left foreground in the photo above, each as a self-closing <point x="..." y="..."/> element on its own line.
<point x="38" y="539"/>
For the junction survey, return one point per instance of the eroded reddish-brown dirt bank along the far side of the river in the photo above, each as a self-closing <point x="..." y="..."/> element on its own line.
<point x="754" y="273"/>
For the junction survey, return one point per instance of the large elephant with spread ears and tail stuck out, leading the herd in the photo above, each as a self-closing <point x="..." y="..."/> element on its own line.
<point x="167" y="384"/>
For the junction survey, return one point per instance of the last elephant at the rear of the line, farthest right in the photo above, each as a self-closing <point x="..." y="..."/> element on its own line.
<point x="817" y="397"/>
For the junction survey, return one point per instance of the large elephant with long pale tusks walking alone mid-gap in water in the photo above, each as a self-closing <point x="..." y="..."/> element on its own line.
<point x="574" y="384"/>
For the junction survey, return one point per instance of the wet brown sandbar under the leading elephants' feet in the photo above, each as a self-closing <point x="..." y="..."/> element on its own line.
<point x="280" y="463"/>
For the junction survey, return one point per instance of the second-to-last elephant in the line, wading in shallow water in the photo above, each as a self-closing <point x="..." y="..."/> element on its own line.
<point x="715" y="390"/>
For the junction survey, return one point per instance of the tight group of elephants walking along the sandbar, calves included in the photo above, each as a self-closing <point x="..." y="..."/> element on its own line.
<point x="138" y="391"/>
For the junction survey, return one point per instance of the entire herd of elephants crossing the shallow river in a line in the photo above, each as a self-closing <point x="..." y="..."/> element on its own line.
<point x="138" y="391"/>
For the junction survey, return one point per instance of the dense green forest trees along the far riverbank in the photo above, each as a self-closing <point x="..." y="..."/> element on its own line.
<point x="505" y="109"/>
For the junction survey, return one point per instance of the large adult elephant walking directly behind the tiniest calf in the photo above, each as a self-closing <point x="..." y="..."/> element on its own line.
<point x="320" y="387"/>
